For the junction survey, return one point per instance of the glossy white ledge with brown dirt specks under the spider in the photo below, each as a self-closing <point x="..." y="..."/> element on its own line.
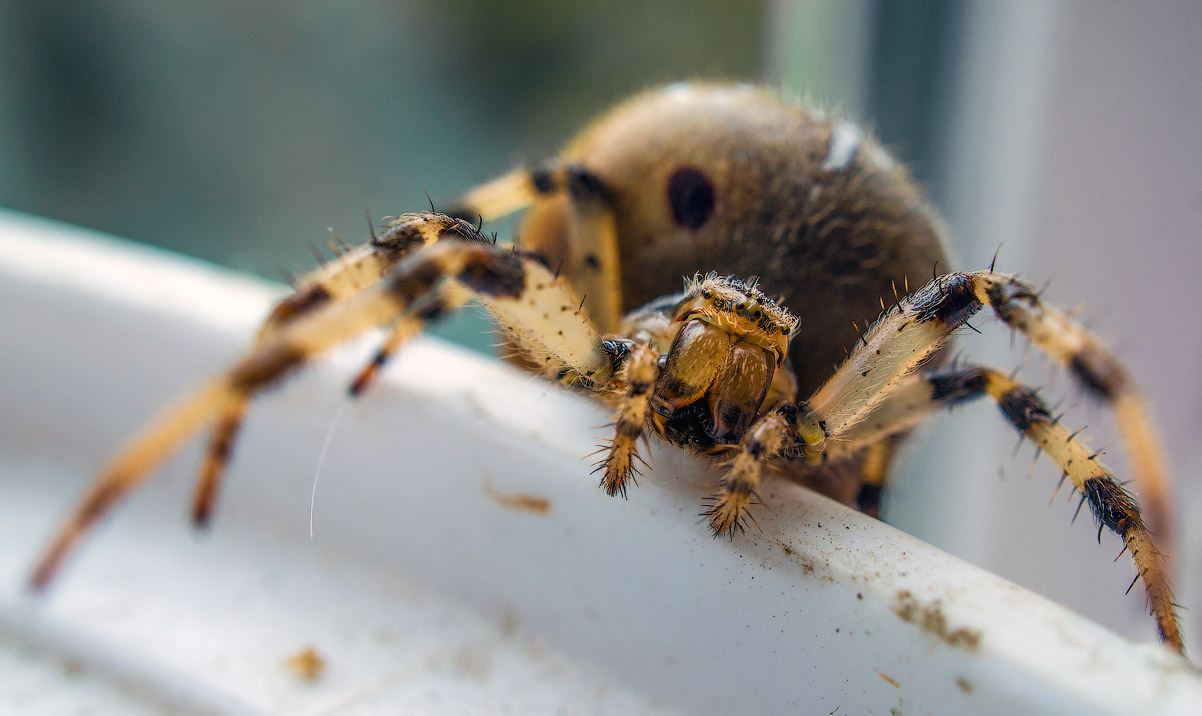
<point x="421" y="590"/>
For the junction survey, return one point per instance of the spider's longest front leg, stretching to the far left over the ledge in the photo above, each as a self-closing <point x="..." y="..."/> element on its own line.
<point x="538" y="312"/>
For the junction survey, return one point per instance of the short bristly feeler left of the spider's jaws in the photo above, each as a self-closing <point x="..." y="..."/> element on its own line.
<point x="639" y="374"/>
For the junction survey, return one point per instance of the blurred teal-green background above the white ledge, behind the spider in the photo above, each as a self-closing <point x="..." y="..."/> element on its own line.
<point x="240" y="132"/>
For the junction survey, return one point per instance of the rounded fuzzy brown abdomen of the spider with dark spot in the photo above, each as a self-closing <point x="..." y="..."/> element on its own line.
<point x="736" y="181"/>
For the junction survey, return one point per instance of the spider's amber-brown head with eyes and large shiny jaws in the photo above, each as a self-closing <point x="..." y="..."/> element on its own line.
<point x="730" y="344"/>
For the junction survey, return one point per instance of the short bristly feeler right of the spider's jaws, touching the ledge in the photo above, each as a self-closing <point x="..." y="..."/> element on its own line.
<point x="765" y="440"/>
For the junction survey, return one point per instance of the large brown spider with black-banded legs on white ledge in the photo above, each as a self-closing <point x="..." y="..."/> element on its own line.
<point x="718" y="184"/>
